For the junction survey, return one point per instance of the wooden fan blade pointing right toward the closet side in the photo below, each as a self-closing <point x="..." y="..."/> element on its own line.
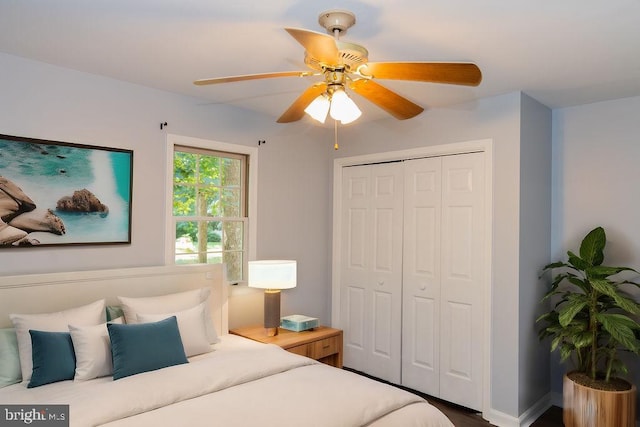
<point x="437" y="72"/>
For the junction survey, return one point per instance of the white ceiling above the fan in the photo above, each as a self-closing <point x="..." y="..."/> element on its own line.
<point x="560" y="52"/>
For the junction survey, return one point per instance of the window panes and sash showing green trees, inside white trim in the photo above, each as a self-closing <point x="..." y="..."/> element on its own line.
<point x="209" y="212"/>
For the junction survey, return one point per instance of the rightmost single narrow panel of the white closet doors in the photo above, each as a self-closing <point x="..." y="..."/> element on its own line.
<point x="462" y="279"/>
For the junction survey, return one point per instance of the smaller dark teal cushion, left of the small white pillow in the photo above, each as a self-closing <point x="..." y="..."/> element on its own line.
<point x="53" y="357"/>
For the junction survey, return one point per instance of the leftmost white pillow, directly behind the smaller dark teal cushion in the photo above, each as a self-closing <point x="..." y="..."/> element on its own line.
<point x="90" y="314"/>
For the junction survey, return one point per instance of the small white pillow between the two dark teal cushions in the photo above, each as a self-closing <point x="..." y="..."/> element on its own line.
<point x="92" y="347"/>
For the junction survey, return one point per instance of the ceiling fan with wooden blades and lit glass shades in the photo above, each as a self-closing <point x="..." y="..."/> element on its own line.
<point x="345" y="65"/>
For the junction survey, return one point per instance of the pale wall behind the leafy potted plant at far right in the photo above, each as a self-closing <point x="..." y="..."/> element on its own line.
<point x="595" y="181"/>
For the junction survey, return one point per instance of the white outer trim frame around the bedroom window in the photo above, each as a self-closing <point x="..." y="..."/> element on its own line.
<point x="252" y="190"/>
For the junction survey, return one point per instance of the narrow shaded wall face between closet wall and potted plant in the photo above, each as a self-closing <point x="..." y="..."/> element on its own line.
<point x="535" y="247"/>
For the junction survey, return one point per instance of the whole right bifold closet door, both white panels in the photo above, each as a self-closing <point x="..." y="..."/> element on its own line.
<point x="443" y="281"/>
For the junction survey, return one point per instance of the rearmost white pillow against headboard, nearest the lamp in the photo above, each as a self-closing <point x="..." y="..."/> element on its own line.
<point x="168" y="304"/>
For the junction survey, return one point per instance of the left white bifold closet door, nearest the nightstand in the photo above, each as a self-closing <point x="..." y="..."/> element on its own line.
<point x="371" y="268"/>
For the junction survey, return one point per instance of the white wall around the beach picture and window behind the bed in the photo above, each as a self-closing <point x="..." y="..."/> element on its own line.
<point x="48" y="102"/>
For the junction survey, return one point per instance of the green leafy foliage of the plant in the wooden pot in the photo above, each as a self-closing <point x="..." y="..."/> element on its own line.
<point x="592" y="318"/>
